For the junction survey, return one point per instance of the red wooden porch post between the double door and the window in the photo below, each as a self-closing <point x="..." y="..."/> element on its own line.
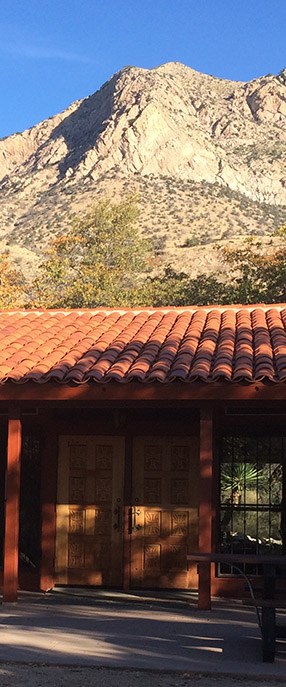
<point x="205" y="504"/>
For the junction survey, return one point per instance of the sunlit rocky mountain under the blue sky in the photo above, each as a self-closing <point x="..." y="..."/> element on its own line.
<point x="206" y="155"/>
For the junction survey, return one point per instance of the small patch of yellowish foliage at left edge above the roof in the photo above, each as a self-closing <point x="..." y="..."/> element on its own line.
<point x="12" y="284"/>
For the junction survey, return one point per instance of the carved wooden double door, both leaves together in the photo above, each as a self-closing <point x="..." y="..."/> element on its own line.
<point x="149" y="522"/>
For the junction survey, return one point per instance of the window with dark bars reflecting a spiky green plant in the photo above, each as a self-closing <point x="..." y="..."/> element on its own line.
<point x="252" y="496"/>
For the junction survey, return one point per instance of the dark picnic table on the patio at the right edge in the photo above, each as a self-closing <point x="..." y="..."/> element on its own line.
<point x="268" y="603"/>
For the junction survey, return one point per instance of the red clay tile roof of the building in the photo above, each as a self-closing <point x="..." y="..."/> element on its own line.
<point x="223" y="343"/>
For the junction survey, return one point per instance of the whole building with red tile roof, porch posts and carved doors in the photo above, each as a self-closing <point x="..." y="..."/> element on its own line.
<point x="141" y="435"/>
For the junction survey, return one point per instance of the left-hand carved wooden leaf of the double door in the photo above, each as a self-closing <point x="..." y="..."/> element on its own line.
<point x="89" y="503"/>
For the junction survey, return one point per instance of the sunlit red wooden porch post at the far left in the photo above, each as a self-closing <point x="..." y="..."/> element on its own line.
<point x="11" y="543"/>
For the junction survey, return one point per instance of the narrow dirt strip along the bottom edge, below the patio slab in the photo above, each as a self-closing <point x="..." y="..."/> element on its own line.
<point x="32" y="675"/>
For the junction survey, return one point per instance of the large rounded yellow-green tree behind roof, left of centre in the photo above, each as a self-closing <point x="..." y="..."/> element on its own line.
<point x="100" y="261"/>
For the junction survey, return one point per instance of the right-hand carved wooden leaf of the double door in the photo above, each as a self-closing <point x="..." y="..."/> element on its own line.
<point x="165" y="491"/>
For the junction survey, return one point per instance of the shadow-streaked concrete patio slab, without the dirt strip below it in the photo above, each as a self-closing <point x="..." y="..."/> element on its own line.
<point x="134" y="631"/>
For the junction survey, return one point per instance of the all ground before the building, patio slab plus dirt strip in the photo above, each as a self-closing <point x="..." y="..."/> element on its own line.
<point x="109" y="641"/>
